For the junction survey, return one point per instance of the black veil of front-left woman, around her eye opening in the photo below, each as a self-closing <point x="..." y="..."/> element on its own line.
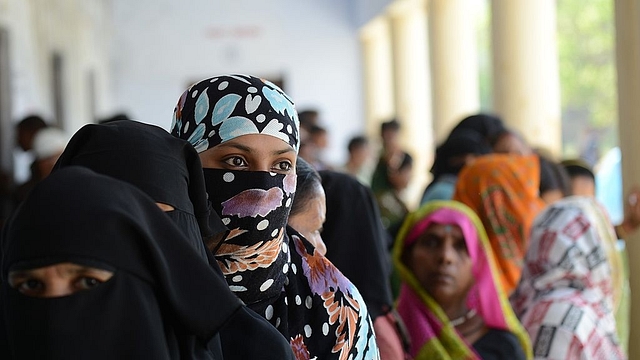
<point x="157" y="305"/>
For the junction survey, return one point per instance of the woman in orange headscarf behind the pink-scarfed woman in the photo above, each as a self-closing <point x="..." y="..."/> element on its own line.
<point x="503" y="190"/>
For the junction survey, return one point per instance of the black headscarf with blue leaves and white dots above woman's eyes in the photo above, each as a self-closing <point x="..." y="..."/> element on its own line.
<point x="221" y="108"/>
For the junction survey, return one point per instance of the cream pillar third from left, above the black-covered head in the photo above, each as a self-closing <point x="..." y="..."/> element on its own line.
<point x="454" y="63"/>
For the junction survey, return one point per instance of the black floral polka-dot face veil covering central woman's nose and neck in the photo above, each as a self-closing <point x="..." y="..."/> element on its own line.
<point x="254" y="206"/>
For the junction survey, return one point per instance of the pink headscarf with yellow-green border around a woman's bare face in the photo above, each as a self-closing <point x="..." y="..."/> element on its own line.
<point x="429" y="328"/>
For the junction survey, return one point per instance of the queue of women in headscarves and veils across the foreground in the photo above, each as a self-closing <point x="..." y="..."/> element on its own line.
<point x="215" y="241"/>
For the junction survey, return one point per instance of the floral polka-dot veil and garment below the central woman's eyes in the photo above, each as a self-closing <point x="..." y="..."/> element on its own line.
<point x="278" y="274"/>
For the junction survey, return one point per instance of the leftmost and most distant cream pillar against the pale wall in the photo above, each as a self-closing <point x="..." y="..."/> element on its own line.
<point x="375" y="39"/>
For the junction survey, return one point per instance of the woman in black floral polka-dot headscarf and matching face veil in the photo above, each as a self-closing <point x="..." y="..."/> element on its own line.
<point x="246" y="131"/>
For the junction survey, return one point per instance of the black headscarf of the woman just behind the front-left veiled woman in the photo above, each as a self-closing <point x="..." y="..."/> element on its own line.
<point x="166" y="168"/>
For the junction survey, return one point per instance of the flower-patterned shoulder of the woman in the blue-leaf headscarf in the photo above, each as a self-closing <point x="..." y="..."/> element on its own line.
<point x="331" y="300"/>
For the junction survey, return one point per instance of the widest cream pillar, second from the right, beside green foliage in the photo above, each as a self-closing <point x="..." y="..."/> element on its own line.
<point x="526" y="86"/>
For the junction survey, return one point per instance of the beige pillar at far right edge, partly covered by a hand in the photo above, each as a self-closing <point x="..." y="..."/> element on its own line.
<point x="627" y="17"/>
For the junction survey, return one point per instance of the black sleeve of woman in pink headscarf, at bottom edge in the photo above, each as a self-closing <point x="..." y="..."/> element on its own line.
<point x="499" y="345"/>
